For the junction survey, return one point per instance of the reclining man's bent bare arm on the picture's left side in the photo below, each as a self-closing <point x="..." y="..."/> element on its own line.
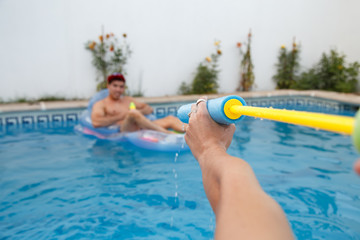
<point x="99" y="118"/>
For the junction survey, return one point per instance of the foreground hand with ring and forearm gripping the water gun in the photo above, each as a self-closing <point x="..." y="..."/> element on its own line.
<point x="242" y="209"/>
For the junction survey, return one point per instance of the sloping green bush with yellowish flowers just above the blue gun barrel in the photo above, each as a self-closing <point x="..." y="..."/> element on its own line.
<point x="206" y="77"/>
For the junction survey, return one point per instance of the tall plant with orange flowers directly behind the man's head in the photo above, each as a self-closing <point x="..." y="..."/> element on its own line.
<point x="109" y="56"/>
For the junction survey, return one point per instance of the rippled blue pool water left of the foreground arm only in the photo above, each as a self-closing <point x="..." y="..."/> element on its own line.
<point x="57" y="184"/>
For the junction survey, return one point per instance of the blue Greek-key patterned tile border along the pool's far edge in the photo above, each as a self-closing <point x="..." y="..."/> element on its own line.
<point x="71" y="116"/>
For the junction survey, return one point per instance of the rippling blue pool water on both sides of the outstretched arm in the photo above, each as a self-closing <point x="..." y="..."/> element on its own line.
<point x="57" y="184"/>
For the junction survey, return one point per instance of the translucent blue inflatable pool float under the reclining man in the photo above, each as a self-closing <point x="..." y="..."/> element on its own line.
<point x="147" y="139"/>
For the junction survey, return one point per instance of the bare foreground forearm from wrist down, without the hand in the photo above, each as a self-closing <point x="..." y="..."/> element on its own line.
<point x="241" y="207"/>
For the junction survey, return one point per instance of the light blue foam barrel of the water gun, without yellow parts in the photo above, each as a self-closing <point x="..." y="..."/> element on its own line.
<point x="215" y="108"/>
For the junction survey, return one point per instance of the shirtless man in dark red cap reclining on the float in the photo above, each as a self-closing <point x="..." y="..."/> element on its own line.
<point x="114" y="109"/>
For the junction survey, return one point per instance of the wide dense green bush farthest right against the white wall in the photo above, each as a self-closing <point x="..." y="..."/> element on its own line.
<point x="331" y="73"/>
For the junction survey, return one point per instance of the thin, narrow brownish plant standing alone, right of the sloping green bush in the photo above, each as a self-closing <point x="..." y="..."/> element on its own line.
<point x="246" y="67"/>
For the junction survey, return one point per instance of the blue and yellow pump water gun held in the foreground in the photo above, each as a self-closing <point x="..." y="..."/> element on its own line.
<point x="231" y="109"/>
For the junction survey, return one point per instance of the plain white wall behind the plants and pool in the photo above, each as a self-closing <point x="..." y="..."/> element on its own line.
<point x="42" y="42"/>
